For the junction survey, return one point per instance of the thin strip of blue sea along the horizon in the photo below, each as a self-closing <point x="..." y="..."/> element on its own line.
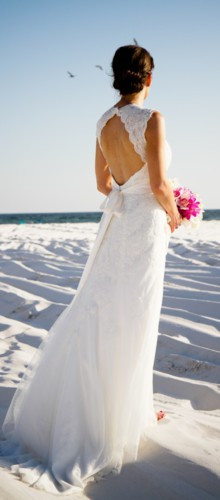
<point x="63" y="217"/>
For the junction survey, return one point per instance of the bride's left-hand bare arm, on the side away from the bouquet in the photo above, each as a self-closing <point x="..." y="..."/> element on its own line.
<point x="103" y="175"/>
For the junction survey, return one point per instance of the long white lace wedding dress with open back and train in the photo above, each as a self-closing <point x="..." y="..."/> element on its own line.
<point x="86" y="399"/>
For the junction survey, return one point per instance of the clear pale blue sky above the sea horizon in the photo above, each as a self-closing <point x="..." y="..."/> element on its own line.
<point x="48" y="120"/>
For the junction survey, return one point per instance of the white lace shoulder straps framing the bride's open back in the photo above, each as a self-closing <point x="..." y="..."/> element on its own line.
<point x="135" y="121"/>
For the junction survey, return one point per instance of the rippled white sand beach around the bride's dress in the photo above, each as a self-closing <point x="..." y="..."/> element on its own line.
<point x="40" y="268"/>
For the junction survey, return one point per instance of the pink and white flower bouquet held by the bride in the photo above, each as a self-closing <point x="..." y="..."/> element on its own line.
<point x="188" y="204"/>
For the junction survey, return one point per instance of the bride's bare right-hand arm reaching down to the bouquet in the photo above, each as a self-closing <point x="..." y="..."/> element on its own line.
<point x="155" y="137"/>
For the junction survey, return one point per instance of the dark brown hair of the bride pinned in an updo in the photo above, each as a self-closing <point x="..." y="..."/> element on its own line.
<point x="131" y="64"/>
